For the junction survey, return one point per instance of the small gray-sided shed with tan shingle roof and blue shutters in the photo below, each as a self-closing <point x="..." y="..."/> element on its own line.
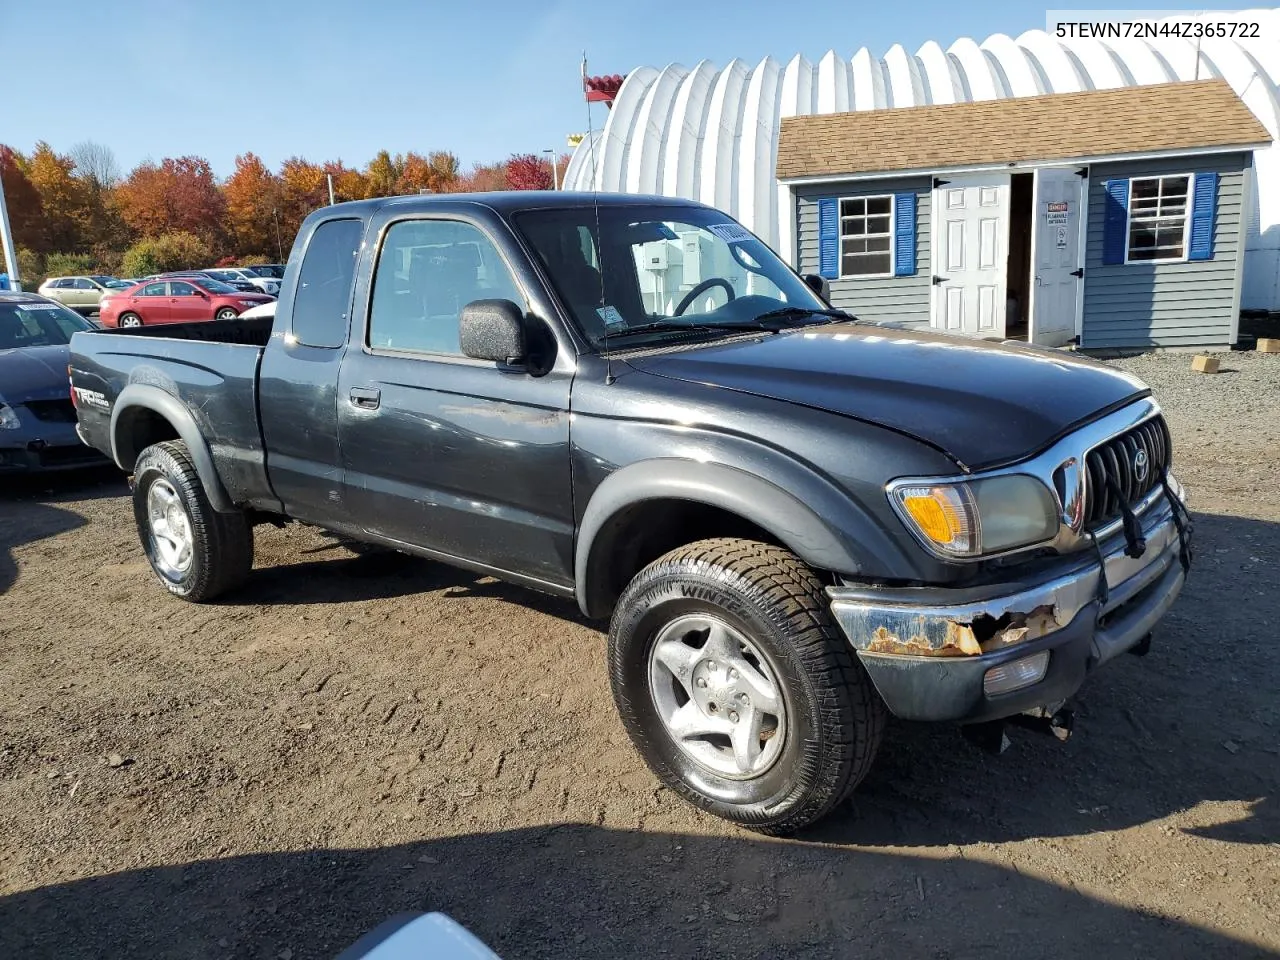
<point x="1105" y="218"/>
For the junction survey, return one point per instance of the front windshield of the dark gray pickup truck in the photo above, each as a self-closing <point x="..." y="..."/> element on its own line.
<point x="646" y="273"/>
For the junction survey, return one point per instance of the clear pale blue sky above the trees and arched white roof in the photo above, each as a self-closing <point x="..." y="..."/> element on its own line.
<point x="328" y="80"/>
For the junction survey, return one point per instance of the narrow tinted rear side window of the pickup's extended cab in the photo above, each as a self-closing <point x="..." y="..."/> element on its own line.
<point x="323" y="299"/>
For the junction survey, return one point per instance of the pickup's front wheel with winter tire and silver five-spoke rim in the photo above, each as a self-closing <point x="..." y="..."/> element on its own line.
<point x="738" y="689"/>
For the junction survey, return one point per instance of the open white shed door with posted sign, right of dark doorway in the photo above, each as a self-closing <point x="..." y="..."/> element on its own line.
<point x="1058" y="258"/>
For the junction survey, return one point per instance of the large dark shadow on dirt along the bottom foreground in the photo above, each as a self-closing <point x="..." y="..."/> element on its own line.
<point x="588" y="892"/>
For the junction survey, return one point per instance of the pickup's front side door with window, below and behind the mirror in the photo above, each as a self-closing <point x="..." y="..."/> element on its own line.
<point x="464" y="459"/>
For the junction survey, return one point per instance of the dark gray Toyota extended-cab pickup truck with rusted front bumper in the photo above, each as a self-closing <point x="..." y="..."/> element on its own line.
<point x="798" y="523"/>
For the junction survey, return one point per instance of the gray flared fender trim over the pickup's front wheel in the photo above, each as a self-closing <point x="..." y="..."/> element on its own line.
<point x="811" y="518"/>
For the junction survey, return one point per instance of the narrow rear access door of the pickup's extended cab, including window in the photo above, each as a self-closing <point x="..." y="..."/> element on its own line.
<point x="299" y="376"/>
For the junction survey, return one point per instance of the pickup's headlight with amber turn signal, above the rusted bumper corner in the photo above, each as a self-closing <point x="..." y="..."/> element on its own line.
<point x="977" y="518"/>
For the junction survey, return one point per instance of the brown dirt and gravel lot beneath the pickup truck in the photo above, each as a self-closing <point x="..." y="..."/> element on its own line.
<point x="350" y="738"/>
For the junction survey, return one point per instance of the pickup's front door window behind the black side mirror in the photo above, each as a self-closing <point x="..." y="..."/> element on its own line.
<point x="428" y="271"/>
